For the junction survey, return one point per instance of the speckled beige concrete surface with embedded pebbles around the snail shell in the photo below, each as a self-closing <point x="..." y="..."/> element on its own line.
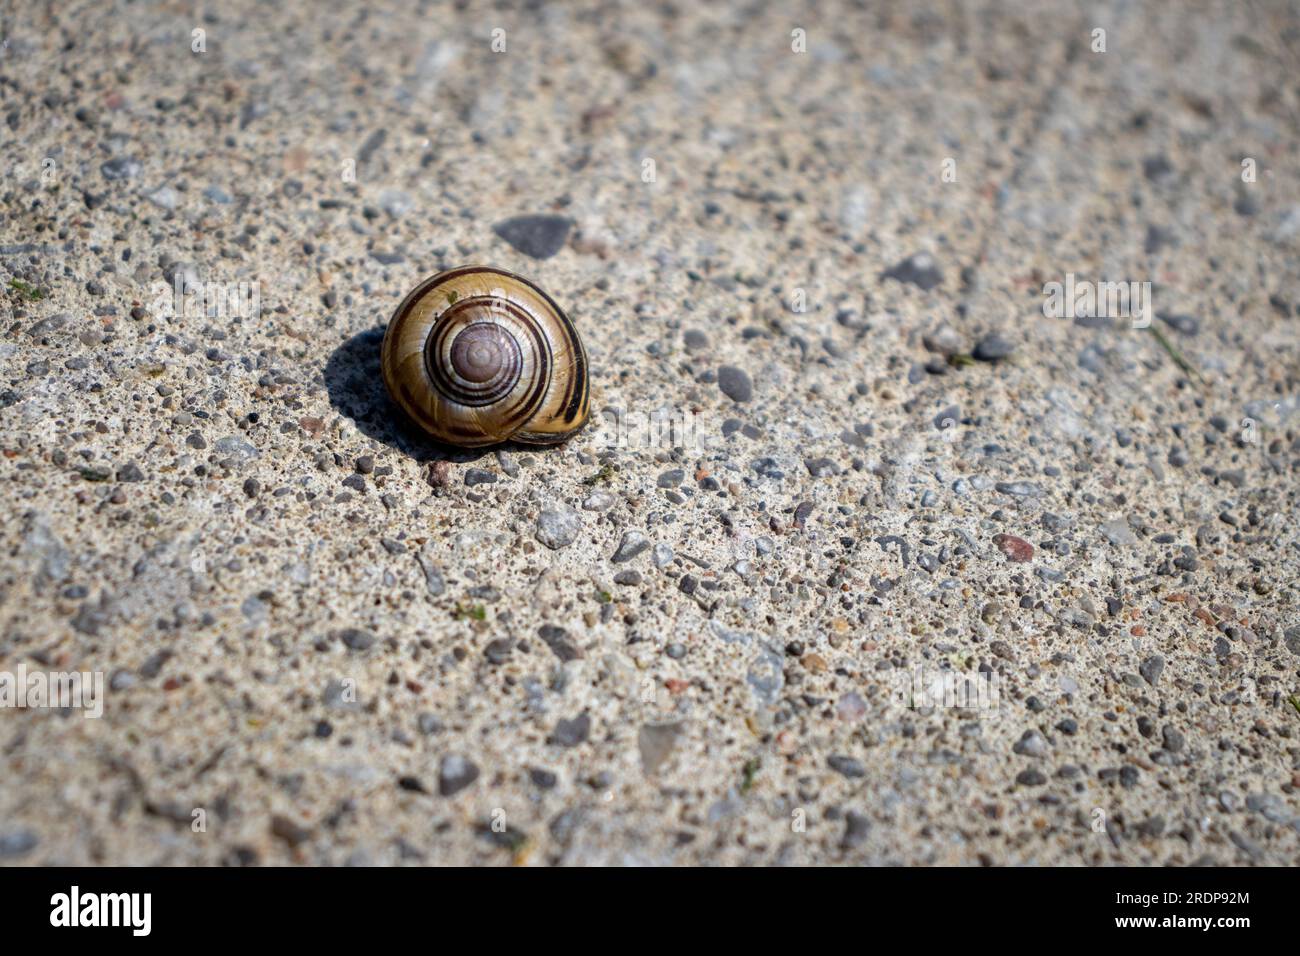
<point x="327" y="642"/>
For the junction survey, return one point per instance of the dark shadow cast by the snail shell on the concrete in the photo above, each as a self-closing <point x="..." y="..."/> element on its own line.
<point x="357" y="392"/>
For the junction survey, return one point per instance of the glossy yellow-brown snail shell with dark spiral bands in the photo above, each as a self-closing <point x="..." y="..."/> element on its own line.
<point x="476" y="356"/>
